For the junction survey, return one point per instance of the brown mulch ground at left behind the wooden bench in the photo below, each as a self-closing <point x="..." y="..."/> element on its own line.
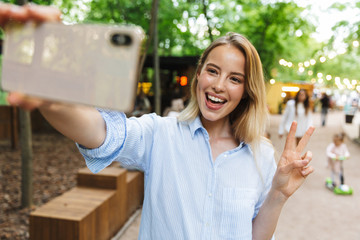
<point x="56" y="161"/>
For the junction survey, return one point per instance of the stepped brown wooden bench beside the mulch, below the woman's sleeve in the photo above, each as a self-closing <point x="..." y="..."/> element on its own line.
<point x="94" y="210"/>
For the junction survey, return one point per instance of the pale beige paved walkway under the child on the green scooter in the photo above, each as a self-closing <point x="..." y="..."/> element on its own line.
<point x="314" y="212"/>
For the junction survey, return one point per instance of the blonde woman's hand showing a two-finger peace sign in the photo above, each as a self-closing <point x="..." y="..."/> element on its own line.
<point x="293" y="168"/>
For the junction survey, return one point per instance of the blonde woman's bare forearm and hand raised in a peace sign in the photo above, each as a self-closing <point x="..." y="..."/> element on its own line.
<point x="290" y="174"/>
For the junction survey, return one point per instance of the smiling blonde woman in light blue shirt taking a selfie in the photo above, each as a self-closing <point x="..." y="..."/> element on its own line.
<point x="208" y="174"/>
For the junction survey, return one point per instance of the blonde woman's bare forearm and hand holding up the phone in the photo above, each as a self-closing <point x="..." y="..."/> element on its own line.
<point x="81" y="124"/>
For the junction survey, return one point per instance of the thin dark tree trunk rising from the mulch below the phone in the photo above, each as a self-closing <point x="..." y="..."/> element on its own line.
<point x="26" y="152"/>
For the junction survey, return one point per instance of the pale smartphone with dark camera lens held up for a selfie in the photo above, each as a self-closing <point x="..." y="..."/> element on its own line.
<point x="90" y="64"/>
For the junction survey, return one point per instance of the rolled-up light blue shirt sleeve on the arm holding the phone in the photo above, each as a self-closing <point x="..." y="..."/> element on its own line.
<point x="128" y="141"/>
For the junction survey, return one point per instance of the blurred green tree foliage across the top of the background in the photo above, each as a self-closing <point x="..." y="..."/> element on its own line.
<point x="278" y="30"/>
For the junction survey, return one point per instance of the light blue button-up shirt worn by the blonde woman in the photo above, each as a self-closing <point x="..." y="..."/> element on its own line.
<point x="188" y="195"/>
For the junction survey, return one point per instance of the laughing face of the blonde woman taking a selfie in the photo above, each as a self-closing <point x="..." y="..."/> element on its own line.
<point x="221" y="82"/>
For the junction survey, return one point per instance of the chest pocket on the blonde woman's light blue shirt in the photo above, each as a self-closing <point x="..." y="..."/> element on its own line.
<point x="238" y="207"/>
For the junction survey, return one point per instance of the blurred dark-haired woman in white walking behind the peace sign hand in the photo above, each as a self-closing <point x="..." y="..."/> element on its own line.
<point x="297" y="110"/>
